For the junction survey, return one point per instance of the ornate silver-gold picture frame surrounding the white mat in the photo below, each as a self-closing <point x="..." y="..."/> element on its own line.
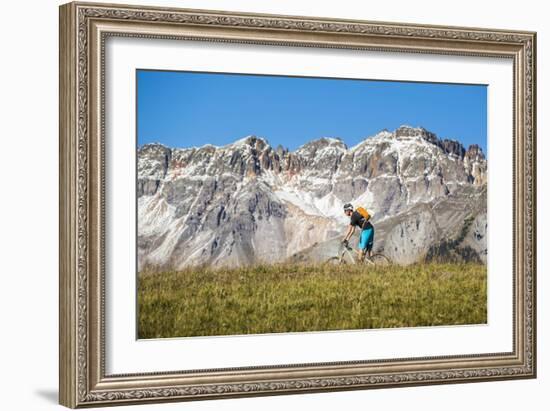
<point x="83" y="30"/>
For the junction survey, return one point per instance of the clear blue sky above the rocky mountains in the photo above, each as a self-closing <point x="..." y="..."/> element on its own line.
<point x="183" y="109"/>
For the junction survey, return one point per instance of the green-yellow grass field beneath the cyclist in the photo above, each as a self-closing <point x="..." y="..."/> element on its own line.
<point x="294" y="298"/>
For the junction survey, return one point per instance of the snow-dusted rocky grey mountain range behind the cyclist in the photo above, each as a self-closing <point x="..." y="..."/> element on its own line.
<point x="248" y="202"/>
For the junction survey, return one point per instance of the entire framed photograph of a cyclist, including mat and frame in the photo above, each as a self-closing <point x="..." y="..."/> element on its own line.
<point x="262" y="204"/>
